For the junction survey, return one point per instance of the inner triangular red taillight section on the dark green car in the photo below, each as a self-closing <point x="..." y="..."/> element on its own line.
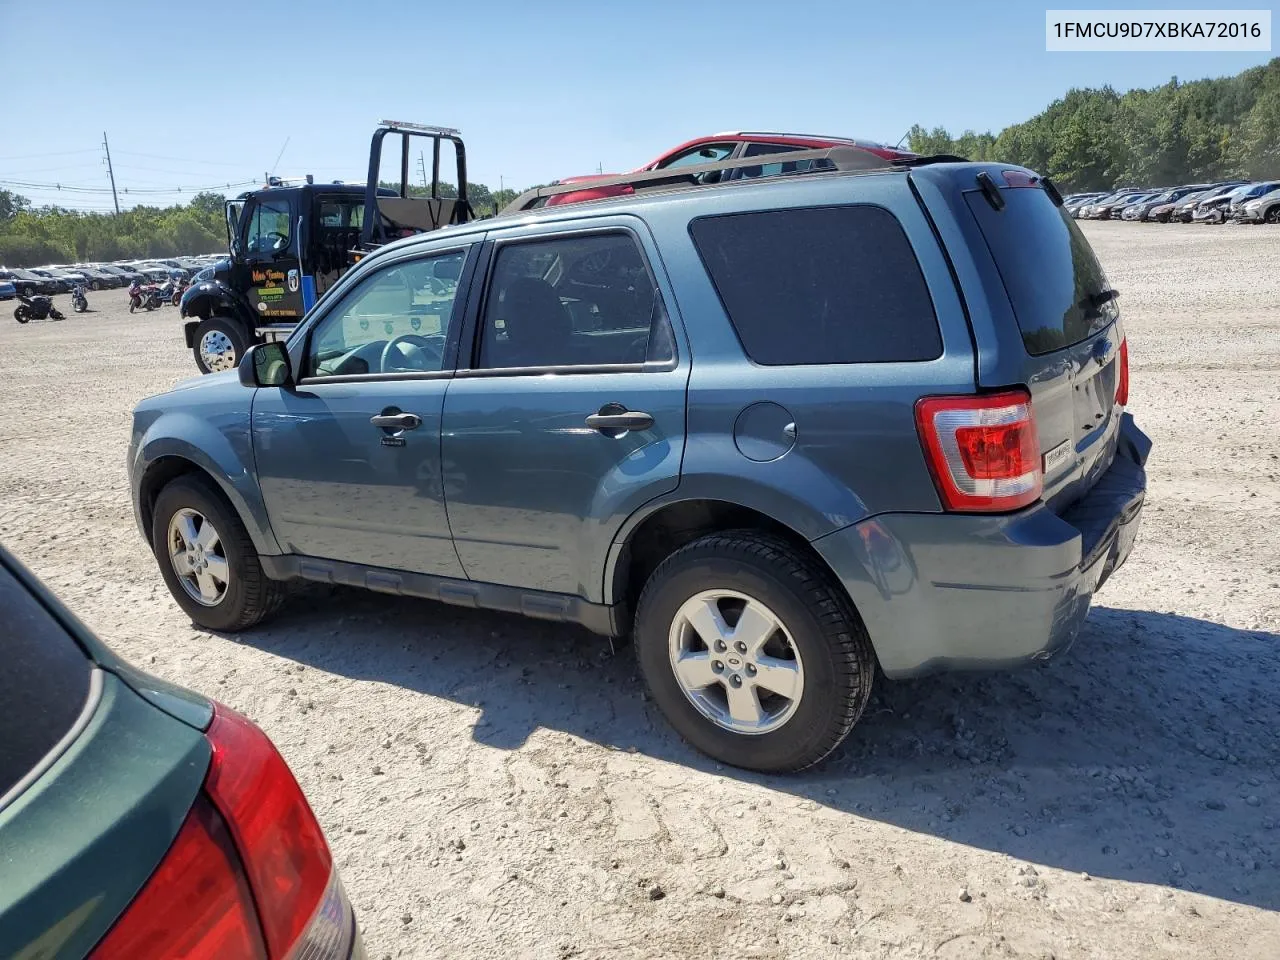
<point x="196" y="906"/>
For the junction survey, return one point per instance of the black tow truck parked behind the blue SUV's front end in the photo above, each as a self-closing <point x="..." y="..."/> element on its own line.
<point x="290" y="241"/>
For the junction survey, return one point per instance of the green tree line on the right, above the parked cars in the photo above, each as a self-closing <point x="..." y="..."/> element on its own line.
<point x="1209" y="130"/>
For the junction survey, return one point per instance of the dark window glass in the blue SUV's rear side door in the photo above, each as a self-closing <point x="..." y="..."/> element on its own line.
<point x="573" y="301"/>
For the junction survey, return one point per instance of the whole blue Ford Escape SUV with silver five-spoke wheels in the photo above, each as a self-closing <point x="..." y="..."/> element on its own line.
<point x="779" y="431"/>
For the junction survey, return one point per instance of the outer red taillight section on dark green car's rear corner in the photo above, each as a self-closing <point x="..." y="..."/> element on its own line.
<point x="286" y="856"/>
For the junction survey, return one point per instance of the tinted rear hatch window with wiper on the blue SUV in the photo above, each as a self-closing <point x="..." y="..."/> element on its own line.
<point x="1054" y="281"/>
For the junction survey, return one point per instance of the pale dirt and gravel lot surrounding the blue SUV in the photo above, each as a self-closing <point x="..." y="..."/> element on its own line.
<point x="495" y="788"/>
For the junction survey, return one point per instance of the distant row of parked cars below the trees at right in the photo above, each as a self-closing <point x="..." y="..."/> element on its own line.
<point x="1244" y="202"/>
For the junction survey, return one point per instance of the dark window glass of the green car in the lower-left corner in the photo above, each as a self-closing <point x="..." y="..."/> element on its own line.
<point x="44" y="684"/>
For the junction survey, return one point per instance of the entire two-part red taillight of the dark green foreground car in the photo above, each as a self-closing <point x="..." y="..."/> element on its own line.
<point x="273" y="886"/>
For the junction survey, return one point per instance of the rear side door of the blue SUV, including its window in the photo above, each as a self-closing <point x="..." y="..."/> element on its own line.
<point x="570" y="412"/>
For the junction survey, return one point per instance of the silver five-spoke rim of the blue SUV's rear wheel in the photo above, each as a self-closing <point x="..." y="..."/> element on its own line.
<point x="737" y="662"/>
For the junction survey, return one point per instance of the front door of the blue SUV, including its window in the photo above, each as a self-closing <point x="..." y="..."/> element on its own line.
<point x="350" y="459"/>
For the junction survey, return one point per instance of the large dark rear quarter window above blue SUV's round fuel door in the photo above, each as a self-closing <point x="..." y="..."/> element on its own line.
<point x="820" y="286"/>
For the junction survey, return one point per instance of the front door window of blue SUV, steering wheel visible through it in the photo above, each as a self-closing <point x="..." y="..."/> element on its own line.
<point x="394" y="322"/>
